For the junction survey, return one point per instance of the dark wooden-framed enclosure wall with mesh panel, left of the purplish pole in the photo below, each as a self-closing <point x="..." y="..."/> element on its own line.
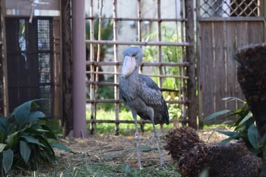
<point x="30" y="55"/>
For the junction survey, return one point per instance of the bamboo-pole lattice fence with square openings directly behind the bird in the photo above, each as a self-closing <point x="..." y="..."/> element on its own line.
<point x="142" y="23"/>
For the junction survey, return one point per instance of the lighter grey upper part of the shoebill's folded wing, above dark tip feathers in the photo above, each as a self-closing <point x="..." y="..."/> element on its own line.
<point x="150" y="92"/>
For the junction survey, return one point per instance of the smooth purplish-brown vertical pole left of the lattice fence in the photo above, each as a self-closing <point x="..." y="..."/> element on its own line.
<point x="79" y="69"/>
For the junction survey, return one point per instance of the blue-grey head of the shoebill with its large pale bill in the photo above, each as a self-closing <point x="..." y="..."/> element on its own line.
<point x="132" y="60"/>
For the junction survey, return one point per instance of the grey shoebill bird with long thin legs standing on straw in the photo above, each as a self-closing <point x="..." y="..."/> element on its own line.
<point x="142" y="96"/>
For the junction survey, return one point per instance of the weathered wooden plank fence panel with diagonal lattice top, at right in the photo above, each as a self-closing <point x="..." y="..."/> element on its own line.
<point x="222" y="27"/>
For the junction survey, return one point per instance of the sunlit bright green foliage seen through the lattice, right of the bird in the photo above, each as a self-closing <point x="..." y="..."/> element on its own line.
<point x="171" y="54"/>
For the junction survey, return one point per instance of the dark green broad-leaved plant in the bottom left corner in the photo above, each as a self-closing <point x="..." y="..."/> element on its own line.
<point x="25" y="141"/>
